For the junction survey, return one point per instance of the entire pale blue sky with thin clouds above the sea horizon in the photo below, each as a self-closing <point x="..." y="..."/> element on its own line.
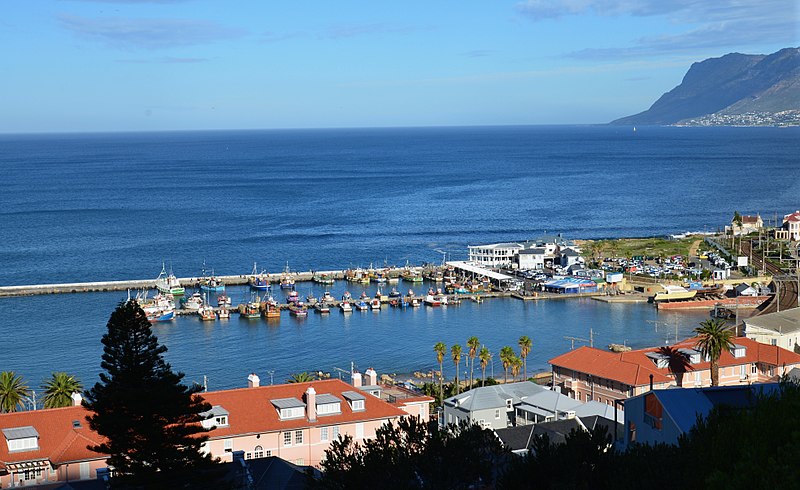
<point x="141" y="65"/>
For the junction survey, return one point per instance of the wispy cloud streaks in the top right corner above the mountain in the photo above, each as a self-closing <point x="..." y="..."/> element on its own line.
<point x="708" y="24"/>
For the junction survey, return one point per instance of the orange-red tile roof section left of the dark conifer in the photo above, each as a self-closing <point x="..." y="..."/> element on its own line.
<point x="59" y="442"/>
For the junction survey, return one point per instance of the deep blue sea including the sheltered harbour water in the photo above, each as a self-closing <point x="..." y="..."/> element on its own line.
<point x="111" y="207"/>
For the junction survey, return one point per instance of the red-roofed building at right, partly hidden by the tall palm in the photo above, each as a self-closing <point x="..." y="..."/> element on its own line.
<point x="594" y="374"/>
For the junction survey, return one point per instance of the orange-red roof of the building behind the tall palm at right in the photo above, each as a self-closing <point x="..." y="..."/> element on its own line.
<point x="634" y="367"/>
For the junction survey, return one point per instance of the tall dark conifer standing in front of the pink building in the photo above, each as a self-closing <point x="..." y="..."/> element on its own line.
<point x="151" y="420"/>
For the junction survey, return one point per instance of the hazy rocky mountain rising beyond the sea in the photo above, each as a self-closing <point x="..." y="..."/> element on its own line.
<point x="733" y="84"/>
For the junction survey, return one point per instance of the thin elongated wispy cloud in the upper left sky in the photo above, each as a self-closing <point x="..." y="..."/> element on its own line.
<point x="129" y="33"/>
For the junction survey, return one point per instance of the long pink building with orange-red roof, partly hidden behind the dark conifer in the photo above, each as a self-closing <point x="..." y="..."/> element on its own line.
<point x="296" y="422"/>
